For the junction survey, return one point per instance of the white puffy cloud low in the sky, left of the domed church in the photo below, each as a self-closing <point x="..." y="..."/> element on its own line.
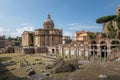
<point x="17" y="32"/>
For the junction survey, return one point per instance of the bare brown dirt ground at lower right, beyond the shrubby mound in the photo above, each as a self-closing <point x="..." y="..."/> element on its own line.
<point x="92" y="71"/>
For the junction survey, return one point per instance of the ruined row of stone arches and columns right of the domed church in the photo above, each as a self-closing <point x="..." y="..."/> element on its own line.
<point x="101" y="49"/>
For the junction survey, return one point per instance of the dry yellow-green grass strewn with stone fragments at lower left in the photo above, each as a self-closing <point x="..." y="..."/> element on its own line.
<point x="20" y="73"/>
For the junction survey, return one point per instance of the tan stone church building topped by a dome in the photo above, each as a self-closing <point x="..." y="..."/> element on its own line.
<point x="46" y="37"/>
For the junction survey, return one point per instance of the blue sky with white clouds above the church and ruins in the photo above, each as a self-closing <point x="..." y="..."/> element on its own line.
<point x="17" y="16"/>
